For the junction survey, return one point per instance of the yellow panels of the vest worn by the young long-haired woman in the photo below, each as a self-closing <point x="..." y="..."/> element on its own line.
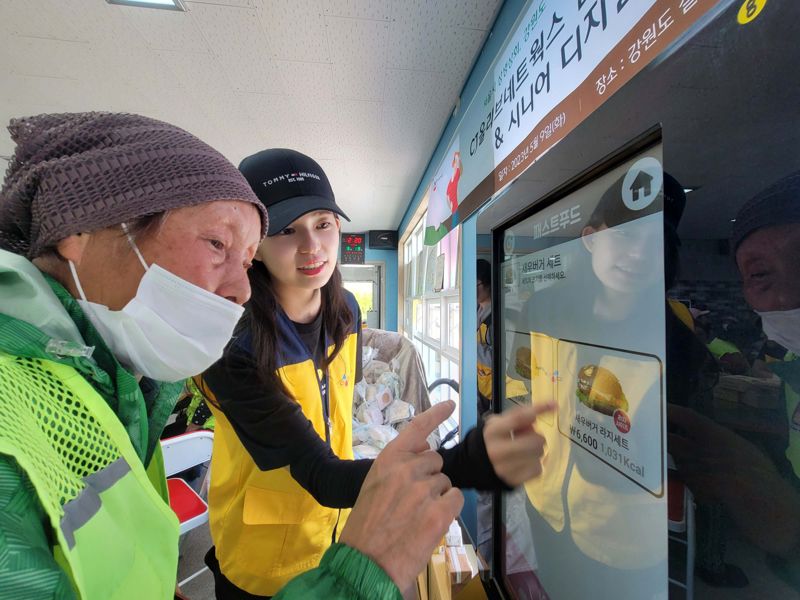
<point x="266" y="527"/>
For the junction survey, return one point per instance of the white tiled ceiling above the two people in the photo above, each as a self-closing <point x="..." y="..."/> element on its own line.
<point x="364" y="87"/>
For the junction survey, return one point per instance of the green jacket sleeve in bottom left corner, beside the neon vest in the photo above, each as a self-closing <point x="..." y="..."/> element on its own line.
<point x="27" y="567"/>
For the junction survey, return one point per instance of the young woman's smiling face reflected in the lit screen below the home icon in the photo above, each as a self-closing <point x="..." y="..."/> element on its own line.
<point x="624" y="258"/>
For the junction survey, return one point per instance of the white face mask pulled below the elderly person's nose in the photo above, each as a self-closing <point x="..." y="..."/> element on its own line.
<point x="170" y="330"/>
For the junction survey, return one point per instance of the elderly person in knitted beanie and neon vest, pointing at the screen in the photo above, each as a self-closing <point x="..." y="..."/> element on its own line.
<point x="124" y="246"/>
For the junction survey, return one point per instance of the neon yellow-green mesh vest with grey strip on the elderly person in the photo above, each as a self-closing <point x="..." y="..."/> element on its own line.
<point x="114" y="535"/>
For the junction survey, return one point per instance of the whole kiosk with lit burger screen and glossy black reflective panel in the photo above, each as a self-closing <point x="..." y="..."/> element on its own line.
<point x="663" y="320"/>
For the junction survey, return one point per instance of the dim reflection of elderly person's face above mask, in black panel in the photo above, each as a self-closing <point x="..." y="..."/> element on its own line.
<point x="767" y="260"/>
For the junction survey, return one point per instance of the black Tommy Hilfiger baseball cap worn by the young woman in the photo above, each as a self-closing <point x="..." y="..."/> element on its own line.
<point x="289" y="184"/>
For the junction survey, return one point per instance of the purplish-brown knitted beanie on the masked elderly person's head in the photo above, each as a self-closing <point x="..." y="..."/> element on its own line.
<point x="79" y="172"/>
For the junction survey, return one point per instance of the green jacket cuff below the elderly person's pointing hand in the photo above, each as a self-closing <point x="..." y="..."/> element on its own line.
<point x="343" y="573"/>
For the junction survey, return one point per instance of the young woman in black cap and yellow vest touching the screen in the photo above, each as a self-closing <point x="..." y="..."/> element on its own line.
<point x="283" y="472"/>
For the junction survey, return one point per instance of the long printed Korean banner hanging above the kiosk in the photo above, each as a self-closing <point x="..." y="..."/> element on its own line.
<point x="564" y="60"/>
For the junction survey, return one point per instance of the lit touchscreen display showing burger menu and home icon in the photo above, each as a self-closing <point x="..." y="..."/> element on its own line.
<point x="582" y="293"/>
